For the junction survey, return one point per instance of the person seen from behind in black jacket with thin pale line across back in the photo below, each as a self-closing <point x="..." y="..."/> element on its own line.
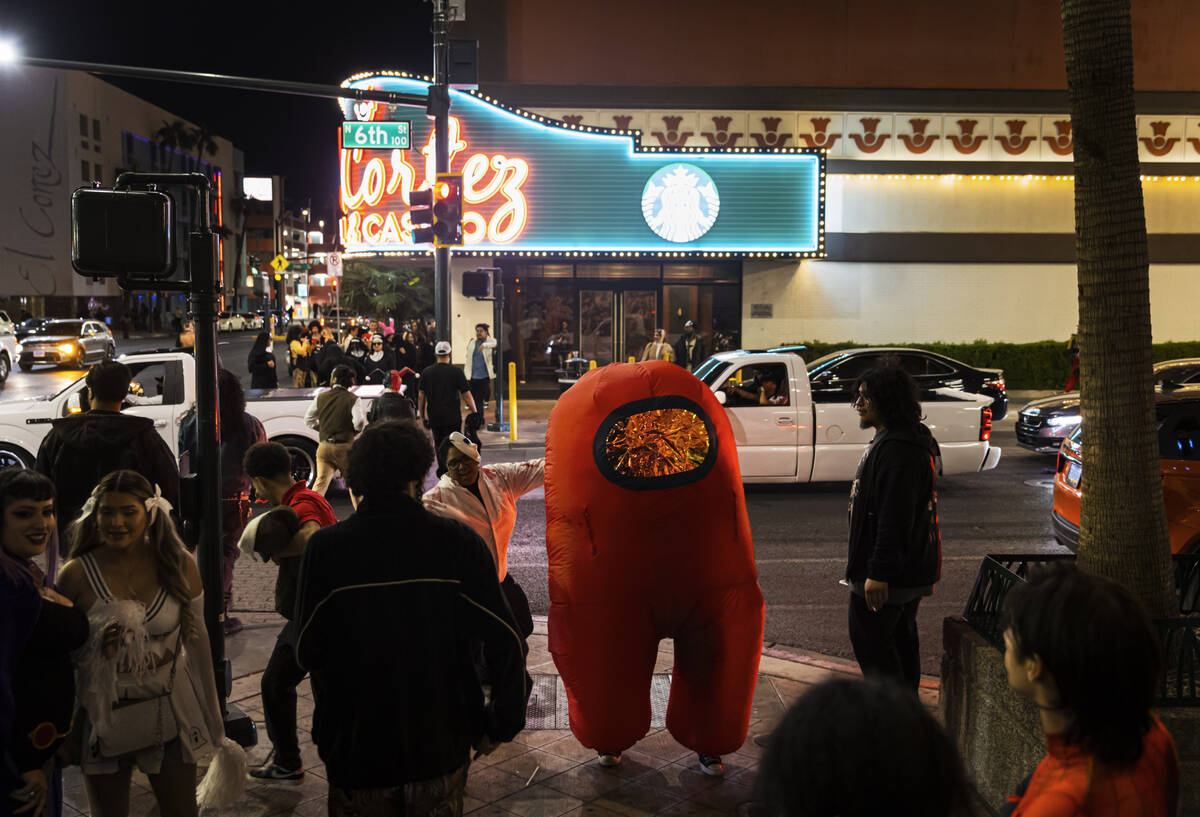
<point x="399" y="633"/>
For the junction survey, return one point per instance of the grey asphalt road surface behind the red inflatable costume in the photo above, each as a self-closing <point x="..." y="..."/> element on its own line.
<point x="800" y="532"/>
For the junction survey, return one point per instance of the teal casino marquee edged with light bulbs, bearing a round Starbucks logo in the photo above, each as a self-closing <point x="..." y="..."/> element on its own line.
<point x="538" y="187"/>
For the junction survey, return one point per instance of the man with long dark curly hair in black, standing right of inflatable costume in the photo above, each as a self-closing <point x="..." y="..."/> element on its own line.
<point x="896" y="548"/>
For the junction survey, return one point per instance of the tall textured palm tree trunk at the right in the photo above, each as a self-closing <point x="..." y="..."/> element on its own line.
<point x="1123" y="522"/>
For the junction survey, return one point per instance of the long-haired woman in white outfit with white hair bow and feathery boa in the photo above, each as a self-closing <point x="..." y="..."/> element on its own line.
<point x="146" y="677"/>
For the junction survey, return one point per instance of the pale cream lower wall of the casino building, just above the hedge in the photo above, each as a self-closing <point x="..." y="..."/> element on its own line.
<point x="928" y="303"/>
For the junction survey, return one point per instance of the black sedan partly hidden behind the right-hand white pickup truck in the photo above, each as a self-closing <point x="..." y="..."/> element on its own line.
<point x="833" y="376"/>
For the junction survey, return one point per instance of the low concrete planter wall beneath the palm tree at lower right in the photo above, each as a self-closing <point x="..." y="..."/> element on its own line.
<point x="999" y="734"/>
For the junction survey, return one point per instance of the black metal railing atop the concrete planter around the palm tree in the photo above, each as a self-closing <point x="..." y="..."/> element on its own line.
<point x="1179" y="636"/>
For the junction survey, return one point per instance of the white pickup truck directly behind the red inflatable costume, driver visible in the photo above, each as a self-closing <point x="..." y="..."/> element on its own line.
<point x="793" y="438"/>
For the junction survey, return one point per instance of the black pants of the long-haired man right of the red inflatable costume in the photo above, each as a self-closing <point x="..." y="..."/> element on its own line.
<point x="886" y="642"/>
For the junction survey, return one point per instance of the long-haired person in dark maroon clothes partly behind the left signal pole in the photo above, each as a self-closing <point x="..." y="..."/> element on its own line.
<point x="239" y="431"/>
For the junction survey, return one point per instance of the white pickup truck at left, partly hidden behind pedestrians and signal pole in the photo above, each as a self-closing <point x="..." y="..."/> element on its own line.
<point x="164" y="389"/>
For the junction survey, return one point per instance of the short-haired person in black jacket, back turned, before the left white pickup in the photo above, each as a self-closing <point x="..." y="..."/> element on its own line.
<point x="83" y="448"/>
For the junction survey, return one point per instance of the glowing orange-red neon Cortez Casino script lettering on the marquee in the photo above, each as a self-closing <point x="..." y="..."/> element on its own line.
<point x="375" y="194"/>
